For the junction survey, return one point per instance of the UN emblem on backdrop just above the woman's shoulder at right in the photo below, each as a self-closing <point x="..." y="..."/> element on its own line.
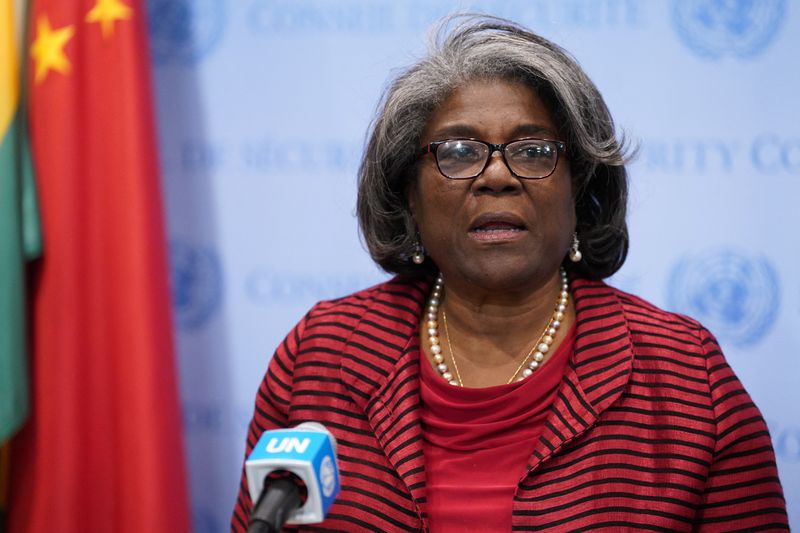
<point x="736" y="296"/>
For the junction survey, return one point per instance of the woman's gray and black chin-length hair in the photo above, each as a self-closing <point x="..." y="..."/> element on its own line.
<point x="470" y="47"/>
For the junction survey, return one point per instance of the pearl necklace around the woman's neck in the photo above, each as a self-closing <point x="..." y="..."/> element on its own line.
<point x="535" y="355"/>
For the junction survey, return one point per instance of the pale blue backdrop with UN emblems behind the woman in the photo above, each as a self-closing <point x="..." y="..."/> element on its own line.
<point x="263" y="108"/>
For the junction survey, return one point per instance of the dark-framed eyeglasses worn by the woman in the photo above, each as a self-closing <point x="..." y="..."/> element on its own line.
<point x="463" y="159"/>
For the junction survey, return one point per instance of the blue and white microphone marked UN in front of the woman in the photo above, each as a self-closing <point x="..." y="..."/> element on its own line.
<point x="284" y="464"/>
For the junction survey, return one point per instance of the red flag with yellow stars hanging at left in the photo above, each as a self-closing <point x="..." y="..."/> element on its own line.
<point x="103" y="449"/>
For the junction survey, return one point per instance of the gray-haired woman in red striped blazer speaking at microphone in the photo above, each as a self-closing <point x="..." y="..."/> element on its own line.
<point x="497" y="383"/>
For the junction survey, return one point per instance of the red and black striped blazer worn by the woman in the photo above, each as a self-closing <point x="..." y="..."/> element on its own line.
<point x="650" y="429"/>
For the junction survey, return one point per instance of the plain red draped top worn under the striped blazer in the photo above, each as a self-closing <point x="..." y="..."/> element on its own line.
<point x="477" y="443"/>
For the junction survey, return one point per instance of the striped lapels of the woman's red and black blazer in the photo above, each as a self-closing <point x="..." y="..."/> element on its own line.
<point x="386" y="387"/>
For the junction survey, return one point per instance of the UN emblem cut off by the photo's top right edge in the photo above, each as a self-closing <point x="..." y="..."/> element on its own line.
<point x="716" y="28"/>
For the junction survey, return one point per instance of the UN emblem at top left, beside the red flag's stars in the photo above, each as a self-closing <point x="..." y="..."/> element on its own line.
<point x="184" y="31"/>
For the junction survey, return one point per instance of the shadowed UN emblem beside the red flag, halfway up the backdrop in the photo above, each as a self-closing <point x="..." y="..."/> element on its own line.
<point x="196" y="284"/>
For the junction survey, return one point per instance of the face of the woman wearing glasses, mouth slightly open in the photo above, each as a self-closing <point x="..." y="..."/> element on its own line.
<point x="493" y="232"/>
